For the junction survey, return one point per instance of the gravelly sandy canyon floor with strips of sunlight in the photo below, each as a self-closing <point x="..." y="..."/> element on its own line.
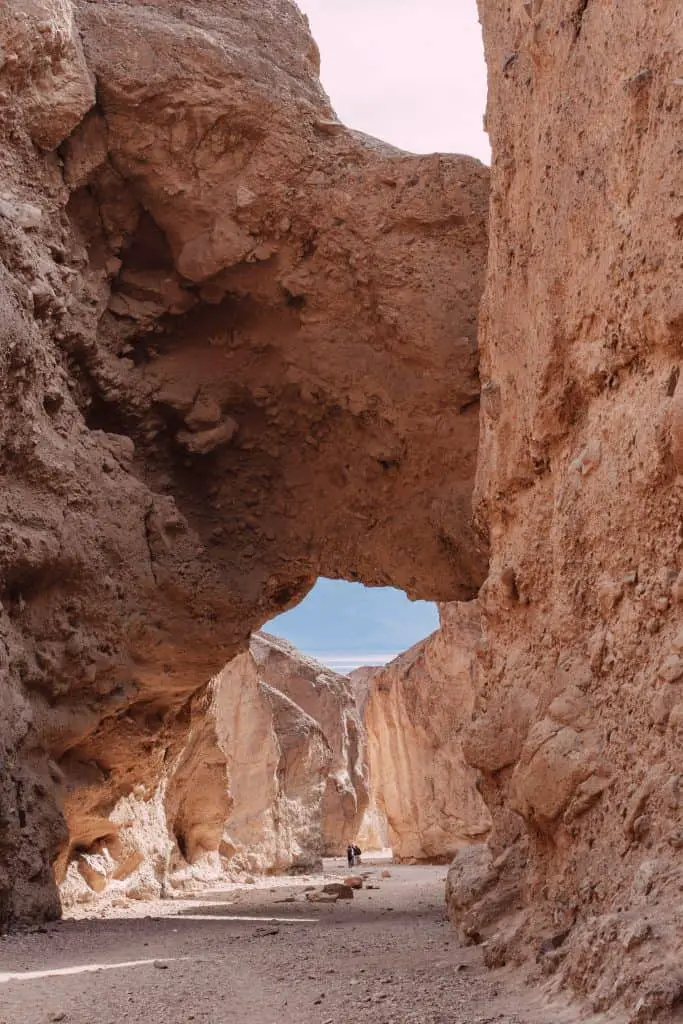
<point x="264" y="955"/>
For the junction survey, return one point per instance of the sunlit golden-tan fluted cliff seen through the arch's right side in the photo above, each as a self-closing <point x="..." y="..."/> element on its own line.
<point x="415" y="717"/>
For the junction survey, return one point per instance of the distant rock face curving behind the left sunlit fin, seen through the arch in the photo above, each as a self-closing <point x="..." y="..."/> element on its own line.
<point x="330" y="701"/>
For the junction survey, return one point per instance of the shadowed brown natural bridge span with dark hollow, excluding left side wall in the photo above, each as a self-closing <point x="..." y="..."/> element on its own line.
<point x="273" y="265"/>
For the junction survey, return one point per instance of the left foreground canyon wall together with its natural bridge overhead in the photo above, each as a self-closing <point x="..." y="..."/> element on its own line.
<point x="238" y="351"/>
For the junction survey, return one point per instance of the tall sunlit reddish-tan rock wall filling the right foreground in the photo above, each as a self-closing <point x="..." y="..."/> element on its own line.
<point x="577" y="727"/>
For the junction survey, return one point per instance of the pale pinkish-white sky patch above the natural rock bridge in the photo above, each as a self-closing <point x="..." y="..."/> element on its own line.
<point x="411" y="72"/>
